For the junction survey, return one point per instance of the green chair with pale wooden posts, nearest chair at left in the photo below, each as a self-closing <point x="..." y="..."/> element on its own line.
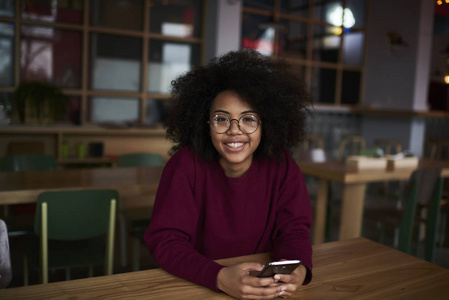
<point x="73" y="228"/>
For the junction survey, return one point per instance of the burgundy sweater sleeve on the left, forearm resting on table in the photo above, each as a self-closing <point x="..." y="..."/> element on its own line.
<point x="173" y="225"/>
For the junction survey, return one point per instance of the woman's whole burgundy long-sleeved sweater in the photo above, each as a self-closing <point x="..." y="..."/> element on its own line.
<point x="201" y="215"/>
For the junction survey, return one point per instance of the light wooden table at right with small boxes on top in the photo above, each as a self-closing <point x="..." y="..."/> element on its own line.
<point x="354" y="187"/>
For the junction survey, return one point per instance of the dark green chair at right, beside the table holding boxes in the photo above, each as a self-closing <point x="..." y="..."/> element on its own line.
<point x="423" y="189"/>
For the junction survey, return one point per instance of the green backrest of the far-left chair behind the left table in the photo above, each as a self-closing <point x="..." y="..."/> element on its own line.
<point x="27" y="162"/>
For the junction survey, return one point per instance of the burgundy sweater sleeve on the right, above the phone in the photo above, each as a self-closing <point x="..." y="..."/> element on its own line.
<point x="293" y="219"/>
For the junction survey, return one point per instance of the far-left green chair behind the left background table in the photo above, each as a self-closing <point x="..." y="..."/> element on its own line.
<point x="19" y="217"/>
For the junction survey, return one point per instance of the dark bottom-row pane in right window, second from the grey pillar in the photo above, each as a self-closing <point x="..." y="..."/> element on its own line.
<point x="323" y="85"/>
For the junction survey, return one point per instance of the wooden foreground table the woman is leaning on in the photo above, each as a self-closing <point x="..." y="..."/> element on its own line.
<point x="350" y="269"/>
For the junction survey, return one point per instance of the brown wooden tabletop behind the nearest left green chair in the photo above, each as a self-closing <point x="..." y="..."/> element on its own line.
<point x="23" y="187"/>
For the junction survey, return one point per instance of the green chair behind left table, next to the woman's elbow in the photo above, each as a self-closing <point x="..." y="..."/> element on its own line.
<point x="132" y="218"/>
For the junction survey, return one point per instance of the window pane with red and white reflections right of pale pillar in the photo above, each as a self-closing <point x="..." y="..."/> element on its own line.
<point x="257" y="34"/>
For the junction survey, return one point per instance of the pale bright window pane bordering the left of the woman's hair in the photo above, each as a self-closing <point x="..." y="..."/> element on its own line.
<point x="167" y="61"/>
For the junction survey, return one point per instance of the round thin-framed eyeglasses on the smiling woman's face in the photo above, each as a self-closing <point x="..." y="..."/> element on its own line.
<point x="247" y="123"/>
